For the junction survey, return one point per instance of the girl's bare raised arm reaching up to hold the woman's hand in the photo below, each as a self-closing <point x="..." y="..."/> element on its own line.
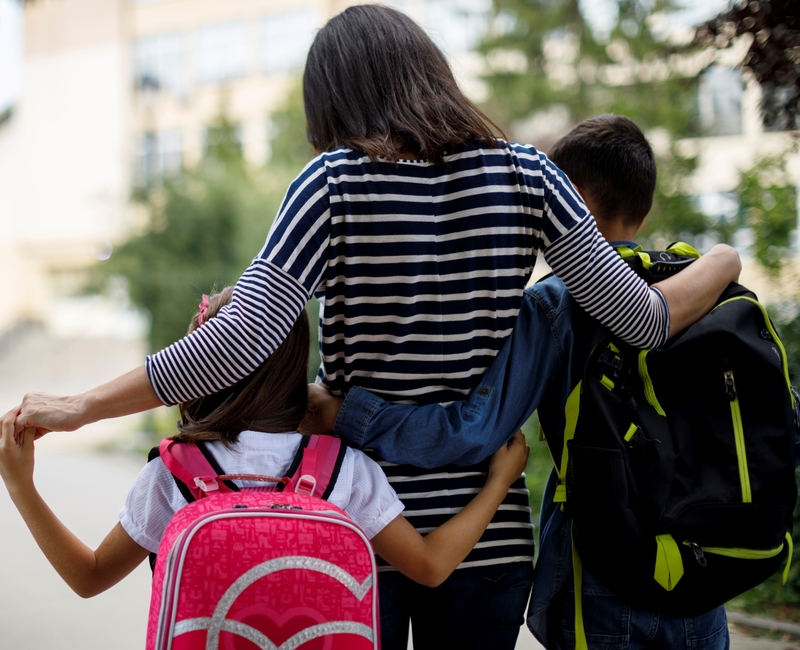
<point x="87" y="572"/>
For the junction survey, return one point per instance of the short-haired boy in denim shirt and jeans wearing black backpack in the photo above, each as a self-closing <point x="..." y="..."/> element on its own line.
<point x="611" y="164"/>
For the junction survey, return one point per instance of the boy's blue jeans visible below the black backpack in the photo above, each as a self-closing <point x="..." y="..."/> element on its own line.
<point x="611" y="623"/>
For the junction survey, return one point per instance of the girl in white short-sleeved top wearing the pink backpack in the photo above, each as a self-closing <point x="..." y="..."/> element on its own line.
<point x="251" y="429"/>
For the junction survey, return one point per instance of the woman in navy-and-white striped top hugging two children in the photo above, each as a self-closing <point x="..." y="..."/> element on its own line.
<point x="418" y="230"/>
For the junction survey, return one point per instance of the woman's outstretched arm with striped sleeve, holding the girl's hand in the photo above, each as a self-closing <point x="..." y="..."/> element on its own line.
<point x="268" y="298"/>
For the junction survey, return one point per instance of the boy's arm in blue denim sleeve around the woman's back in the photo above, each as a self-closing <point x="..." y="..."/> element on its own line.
<point x="464" y="433"/>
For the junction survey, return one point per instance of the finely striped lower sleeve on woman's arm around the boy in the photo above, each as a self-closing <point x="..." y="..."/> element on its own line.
<point x="607" y="288"/>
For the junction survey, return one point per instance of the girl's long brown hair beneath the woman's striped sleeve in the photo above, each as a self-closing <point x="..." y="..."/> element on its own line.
<point x="274" y="398"/>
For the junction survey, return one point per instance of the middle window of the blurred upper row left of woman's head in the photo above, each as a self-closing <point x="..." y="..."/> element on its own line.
<point x="222" y="52"/>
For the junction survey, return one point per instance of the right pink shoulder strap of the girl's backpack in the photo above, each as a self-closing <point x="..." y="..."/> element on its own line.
<point x="316" y="466"/>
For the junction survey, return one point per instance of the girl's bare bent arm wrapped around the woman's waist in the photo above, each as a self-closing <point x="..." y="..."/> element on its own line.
<point x="429" y="560"/>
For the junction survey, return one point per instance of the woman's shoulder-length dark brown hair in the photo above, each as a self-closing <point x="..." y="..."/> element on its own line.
<point x="375" y="82"/>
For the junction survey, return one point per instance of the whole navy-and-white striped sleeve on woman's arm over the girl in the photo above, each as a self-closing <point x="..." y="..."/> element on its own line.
<point x="266" y="301"/>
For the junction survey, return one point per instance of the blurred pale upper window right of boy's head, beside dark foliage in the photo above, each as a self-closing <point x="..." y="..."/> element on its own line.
<point x="720" y="101"/>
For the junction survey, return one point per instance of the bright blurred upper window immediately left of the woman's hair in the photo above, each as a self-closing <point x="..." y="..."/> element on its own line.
<point x="286" y="38"/>
